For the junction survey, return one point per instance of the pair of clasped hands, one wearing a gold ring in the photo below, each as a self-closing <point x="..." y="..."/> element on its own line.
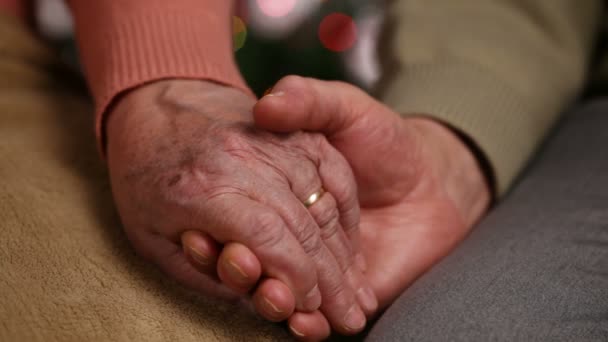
<point x="206" y="192"/>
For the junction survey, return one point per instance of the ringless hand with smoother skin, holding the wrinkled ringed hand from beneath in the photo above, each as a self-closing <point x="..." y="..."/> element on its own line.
<point x="420" y="187"/>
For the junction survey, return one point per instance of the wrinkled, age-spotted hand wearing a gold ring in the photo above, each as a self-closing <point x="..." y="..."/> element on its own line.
<point x="205" y="195"/>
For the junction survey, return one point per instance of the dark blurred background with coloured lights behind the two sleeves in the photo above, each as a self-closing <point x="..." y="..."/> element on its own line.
<point x="327" y="39"/>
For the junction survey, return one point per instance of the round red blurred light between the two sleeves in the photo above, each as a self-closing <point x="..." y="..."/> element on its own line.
<point x="338" y="32"/>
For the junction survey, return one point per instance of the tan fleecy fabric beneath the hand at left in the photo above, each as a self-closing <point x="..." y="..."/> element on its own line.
<point x="68" y="271"/>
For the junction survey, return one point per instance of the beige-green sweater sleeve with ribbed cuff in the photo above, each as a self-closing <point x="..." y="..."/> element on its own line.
<point x="499" y="71"/>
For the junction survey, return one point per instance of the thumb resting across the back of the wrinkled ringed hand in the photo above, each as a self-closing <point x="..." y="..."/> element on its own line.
<point x="298" y="103"/>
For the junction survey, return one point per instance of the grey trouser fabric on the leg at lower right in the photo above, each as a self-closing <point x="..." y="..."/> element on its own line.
<point x="536" y="269"/>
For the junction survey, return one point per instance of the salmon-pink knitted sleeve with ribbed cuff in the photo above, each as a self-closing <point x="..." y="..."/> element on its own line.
<point x="126" y="43"/>
